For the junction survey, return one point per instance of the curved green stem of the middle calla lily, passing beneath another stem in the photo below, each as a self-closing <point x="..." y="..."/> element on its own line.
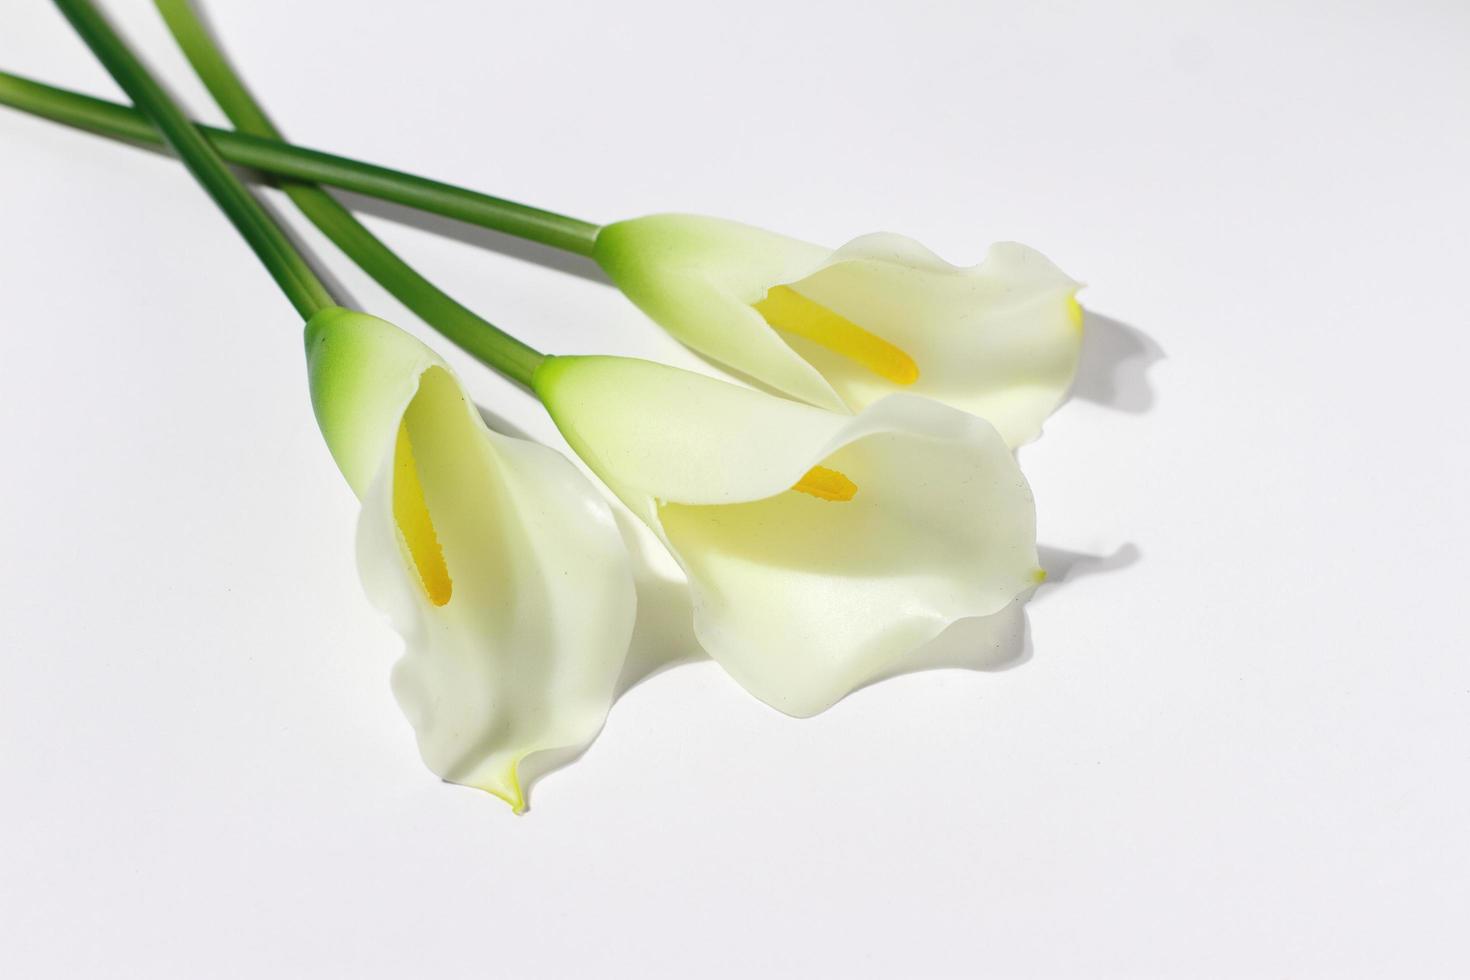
<point x="462" y="325"/>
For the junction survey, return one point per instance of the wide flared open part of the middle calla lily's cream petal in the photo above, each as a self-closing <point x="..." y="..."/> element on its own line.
<point x="805" y="600"/>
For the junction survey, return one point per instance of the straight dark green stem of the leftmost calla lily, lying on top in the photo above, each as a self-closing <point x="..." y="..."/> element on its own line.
<point x="270" y="243"/>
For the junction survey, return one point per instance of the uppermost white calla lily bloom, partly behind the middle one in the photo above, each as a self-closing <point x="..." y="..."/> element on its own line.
<point x="842" y="330"/>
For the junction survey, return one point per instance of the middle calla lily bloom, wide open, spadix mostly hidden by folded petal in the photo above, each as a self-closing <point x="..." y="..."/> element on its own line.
<point x="821" y="547"/>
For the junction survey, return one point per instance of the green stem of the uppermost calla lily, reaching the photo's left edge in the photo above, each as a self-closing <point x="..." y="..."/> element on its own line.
<point x="282" y="159"/>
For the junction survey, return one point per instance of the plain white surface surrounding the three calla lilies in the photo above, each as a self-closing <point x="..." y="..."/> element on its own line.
<point x="1238" y="741"/>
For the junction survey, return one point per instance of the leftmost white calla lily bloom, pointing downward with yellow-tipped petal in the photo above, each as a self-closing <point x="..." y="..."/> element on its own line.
<point x="495" y="558"/>
